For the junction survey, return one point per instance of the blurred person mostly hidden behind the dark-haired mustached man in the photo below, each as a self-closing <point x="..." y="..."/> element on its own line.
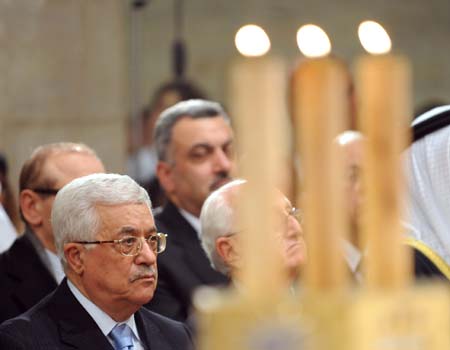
<point x="142" y="162"/>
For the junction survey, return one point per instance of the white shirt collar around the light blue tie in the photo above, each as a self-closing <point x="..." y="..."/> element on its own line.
<point x="101" y="318"/>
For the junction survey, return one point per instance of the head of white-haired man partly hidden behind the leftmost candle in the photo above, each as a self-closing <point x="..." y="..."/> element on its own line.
<point x="220" y="236"/>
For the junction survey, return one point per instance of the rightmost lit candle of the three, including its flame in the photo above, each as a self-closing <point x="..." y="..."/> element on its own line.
<point x="383" y="88"/>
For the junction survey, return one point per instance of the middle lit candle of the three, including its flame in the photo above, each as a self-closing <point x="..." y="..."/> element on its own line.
<point x="320" y="87"/>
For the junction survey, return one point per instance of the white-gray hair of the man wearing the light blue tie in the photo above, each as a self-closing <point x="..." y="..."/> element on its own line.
<point x="74" y="216"/>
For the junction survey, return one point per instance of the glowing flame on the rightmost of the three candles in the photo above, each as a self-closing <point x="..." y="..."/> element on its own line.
<point x="374" y="38"/>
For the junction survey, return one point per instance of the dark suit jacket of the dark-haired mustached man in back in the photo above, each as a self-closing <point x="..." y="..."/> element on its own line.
<point x="182" y="268"/>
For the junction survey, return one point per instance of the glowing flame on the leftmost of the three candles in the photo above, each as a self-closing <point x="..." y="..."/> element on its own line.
<point x="251" y="40"/>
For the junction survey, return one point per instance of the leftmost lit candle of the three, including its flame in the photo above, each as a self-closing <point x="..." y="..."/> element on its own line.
<point x="257" y="105"/>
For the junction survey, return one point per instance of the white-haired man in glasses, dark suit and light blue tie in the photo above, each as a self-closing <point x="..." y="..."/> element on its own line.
<point x="108" y="244"/>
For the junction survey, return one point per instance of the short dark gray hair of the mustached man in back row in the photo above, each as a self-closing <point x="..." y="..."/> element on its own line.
<point x="194" y="109"/>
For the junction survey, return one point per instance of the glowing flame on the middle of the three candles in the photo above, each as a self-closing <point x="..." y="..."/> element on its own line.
<point x="313" y="41"/>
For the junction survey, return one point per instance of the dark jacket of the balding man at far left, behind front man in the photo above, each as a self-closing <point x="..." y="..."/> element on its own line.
<point x="24" y="279"/>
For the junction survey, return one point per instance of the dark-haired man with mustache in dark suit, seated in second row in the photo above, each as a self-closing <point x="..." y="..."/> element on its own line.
<point x="194" y="142"/>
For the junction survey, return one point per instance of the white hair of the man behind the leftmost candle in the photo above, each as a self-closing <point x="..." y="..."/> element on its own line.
<point x="218" y="220"/>
